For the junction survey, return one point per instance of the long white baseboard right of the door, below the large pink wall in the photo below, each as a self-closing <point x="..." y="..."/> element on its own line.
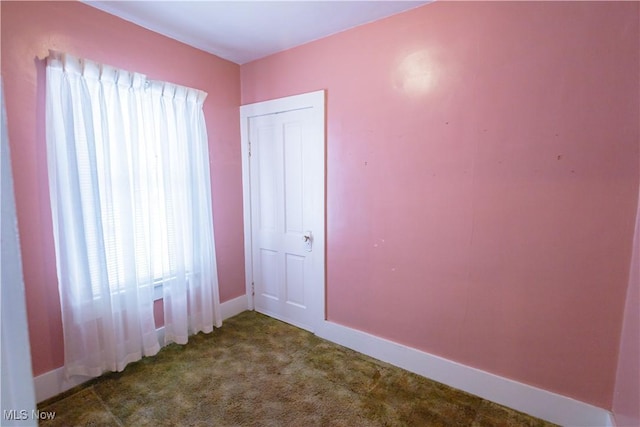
<point x="521" y="397"/>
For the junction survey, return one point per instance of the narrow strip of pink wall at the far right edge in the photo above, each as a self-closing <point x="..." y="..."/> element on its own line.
<point x="626" y="400"/>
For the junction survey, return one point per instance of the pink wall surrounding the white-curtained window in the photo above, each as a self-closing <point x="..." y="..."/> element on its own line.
<point x="29" y="29"/>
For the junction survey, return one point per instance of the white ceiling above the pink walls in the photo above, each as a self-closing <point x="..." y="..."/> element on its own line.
<point x="242" y="31"/>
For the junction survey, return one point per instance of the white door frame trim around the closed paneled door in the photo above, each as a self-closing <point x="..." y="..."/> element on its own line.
<point x="315" y="101"/>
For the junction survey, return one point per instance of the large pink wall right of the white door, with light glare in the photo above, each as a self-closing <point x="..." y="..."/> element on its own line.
<point x="482" y="181"/>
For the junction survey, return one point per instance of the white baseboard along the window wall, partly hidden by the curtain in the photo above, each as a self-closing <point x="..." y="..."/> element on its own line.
<point x="53" y="382"/>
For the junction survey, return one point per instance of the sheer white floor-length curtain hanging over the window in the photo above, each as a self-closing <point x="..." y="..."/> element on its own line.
<point x="131" y="204"/>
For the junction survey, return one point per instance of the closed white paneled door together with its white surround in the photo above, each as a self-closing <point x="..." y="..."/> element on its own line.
<point x="285" y="161"/>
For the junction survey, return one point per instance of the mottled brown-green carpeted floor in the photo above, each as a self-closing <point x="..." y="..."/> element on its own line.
<point x="257" y="371"/>
